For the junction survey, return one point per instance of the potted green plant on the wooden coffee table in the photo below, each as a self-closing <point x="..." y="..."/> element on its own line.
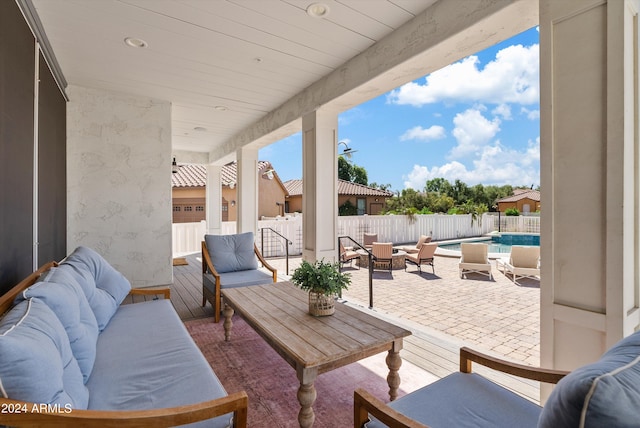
<point x="324" y="281"/>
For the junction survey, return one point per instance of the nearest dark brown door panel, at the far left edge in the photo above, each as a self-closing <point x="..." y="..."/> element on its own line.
<point x="17" y="65"/>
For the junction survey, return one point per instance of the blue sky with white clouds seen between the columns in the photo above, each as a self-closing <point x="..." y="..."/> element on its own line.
<point x="477" y="120"/>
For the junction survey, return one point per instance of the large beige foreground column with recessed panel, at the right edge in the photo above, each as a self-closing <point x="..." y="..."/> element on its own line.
<point x="589" y="178"/>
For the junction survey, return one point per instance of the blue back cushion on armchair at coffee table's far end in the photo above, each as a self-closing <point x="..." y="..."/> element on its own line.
<point x="231" y="253"/>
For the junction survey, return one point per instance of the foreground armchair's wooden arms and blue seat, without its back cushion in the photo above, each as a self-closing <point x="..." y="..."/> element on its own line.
<point x="462" y="398"/>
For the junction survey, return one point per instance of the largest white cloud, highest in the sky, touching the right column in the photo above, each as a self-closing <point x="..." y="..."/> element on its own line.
<point x="512" y="77"/>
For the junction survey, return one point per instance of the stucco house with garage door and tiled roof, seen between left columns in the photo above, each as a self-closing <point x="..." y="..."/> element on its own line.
<point x="188" y="192"/>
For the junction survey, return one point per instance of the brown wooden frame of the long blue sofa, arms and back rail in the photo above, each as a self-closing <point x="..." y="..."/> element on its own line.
<point x="32" y="415"/>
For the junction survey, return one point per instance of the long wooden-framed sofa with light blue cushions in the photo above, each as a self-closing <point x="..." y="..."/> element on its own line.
<point x="71" y="355"/>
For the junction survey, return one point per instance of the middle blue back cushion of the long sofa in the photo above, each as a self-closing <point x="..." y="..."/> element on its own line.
<point x="69" y="303"/>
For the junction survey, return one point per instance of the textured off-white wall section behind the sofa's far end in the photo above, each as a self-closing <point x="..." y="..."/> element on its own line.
<point x="119" y="181"/>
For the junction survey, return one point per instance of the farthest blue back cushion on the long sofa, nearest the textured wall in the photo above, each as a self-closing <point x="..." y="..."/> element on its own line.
<point x="103" y="285"/>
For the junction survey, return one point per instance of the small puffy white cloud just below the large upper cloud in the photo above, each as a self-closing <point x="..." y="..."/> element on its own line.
<point x="472" y="131"/>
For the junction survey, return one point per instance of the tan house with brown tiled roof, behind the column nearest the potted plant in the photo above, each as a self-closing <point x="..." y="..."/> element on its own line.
<point x="367" y="200"/>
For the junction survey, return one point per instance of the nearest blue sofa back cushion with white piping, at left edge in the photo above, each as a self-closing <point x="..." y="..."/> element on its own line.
<point x="36" y="362"/>
